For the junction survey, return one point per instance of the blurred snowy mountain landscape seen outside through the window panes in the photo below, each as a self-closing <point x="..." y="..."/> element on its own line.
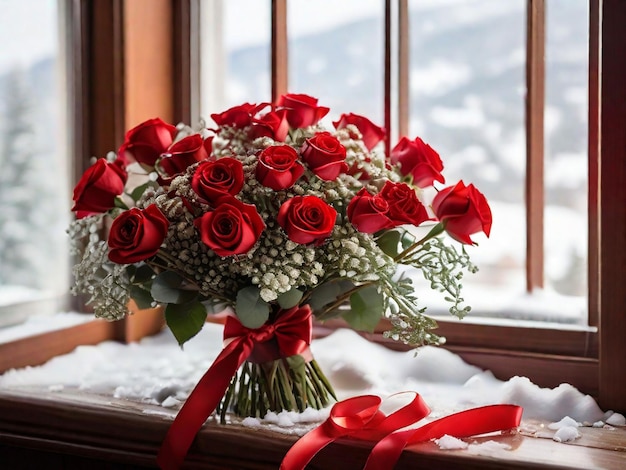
<point x="467" y="90"/>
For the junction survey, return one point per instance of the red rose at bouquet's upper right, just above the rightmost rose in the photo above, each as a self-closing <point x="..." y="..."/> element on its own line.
<point x="418" y="159"/>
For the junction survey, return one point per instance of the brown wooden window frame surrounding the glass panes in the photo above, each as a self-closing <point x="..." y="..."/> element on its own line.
<point x="111" y="96"/>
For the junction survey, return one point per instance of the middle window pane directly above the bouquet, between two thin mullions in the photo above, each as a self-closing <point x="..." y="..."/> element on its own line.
<point x="336" y="54"/>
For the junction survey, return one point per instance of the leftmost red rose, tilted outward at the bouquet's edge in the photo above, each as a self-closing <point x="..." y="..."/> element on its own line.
<point x="98" y="187"/>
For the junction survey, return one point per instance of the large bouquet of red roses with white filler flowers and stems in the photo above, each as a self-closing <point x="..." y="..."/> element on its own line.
<point x="269" y="214"/>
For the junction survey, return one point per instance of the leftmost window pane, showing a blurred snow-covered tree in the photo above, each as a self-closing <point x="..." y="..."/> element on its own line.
<point x="34" y="213"/>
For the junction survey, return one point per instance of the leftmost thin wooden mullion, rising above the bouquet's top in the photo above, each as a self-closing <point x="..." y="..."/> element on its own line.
<point x="280" y="60"/>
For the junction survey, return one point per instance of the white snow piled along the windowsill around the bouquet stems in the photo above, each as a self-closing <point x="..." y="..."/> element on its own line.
<point x="158" y="372"/>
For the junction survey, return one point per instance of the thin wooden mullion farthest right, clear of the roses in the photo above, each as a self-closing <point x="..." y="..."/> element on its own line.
<point x="535" y="101"/>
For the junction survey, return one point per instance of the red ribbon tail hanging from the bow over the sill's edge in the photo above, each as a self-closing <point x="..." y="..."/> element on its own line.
<point x="201" y="403"/>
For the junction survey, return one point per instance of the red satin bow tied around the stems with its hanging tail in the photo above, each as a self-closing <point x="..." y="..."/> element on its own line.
<point x="292" y="333"/>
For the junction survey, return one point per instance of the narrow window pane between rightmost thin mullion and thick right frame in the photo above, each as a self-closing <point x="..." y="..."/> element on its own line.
<point x="566" y="123"/>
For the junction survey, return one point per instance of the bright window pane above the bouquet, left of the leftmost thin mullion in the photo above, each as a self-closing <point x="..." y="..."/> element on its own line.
<point x="235" y="54"/>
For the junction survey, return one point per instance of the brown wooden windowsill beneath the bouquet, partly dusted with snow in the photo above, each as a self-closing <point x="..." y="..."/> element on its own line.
<point x="79" y="426"/>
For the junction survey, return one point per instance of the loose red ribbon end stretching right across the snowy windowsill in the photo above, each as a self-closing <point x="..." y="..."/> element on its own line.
<point x="472" y="422"/>
